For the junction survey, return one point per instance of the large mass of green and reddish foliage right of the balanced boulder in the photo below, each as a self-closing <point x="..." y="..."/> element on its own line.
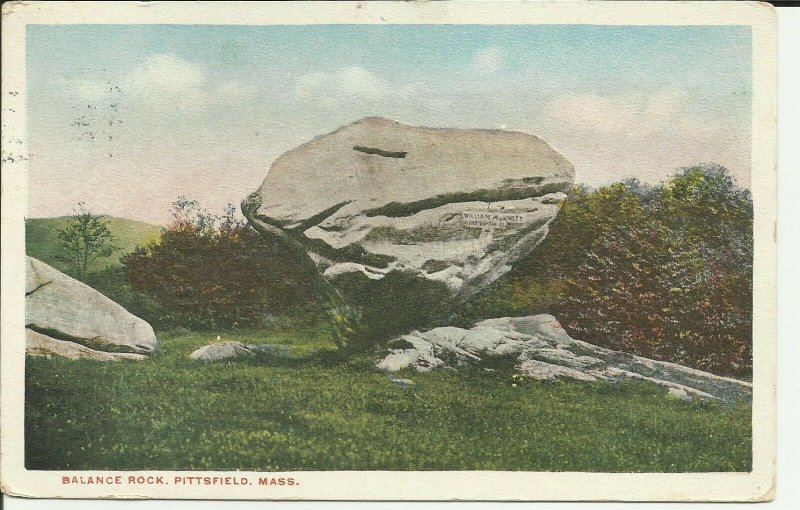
<point x="663" y="271"/>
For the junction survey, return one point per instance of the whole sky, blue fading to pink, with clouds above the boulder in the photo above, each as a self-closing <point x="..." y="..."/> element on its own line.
<point x="126" y="118"/>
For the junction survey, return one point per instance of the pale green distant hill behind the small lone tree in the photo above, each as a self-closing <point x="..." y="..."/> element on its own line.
<point x="41" y="239"/>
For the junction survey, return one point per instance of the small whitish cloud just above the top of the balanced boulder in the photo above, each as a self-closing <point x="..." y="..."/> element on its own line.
<point x="353" y="82"/>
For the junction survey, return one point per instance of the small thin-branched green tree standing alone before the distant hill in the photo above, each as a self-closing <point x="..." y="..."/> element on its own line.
<point x="86" y="239"/>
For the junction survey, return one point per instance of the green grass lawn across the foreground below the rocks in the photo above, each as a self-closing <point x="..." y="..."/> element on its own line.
<point x="313" y="412"/>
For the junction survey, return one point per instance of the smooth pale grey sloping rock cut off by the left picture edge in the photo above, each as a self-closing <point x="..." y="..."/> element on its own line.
<point x="65" y="317"/>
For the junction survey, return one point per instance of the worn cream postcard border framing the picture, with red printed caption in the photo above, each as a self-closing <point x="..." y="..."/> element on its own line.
<point x="757" y="485"/>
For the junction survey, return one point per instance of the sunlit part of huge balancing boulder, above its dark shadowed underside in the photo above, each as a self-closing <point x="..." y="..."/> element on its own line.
<point x="446" y="205"/>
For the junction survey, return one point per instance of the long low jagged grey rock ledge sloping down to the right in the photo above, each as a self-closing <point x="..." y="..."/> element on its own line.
<point x="543" y="350"/>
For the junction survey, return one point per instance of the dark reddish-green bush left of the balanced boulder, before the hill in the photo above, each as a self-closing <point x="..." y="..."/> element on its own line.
<point x="219" y="271"/>
